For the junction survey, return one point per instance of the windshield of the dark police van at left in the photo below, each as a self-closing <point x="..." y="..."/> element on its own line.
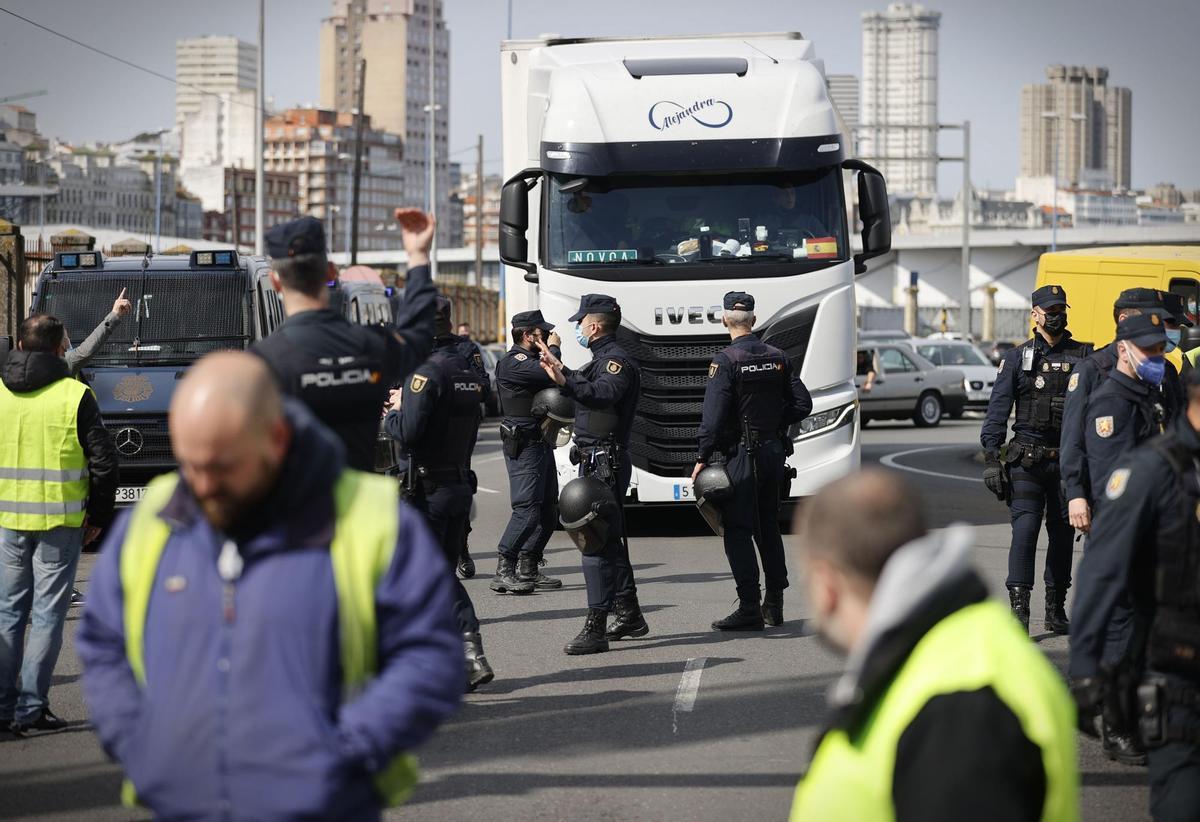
<point x="178" y="316"/>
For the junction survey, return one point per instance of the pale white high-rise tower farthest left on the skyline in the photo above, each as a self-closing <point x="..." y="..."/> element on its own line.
<point x="212" y="65"/>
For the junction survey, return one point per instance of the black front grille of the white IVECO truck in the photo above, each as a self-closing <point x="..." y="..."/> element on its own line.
<point x="675" y="371"/>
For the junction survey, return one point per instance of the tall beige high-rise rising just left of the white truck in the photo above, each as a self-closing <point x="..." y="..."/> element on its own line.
<point x="394" y="39"/>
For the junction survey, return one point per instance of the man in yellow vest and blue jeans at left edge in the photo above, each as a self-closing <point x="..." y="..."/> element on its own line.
<point x="58" y="482"/>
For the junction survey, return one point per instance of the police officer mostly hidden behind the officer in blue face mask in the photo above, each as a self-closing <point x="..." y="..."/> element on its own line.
<point x="1088" y="376"/>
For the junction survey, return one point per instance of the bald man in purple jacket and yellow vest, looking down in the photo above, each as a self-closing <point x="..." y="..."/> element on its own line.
<point x="268" y="633"/>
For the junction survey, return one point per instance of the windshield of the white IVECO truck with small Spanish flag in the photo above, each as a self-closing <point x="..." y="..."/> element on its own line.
<point x="698" y="220"/>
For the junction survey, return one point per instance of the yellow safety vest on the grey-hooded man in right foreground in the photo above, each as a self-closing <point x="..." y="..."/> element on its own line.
<point x="977" y="647"/>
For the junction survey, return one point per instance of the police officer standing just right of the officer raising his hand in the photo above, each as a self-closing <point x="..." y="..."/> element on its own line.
<point x="436" y="421"/>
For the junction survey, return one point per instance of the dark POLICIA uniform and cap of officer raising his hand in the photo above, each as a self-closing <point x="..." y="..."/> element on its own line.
<point x="344" y="371"/>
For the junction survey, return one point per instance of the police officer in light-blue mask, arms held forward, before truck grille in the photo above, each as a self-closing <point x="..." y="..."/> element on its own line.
<point x="605" y="393"/>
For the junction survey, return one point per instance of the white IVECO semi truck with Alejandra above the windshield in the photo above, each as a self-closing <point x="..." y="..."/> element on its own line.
<point x="667" y="172"/>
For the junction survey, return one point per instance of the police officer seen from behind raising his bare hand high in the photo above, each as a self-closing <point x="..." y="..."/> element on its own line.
<point x="343" y="371"/>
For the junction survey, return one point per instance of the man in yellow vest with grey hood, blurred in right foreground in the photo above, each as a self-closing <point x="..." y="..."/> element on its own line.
<point x="946" y="710"/>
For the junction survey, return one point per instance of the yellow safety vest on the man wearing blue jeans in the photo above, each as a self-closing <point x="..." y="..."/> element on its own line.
<point x="44" y="472"/>
